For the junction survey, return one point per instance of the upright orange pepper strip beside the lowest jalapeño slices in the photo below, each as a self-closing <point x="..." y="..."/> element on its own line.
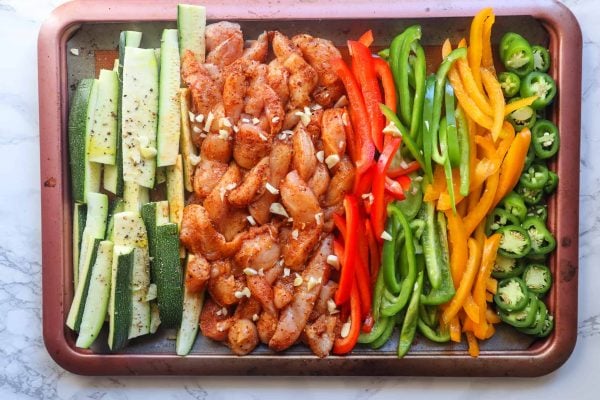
<point x="488" y="257"/>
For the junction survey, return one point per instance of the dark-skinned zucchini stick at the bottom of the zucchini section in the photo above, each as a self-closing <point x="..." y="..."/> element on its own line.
<point x="120" y="307"/>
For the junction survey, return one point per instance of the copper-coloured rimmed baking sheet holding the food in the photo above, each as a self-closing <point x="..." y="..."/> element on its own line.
<point x="93" y="27"/>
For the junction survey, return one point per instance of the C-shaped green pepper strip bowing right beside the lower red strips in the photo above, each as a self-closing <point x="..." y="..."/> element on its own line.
<point x="392" y="305"/>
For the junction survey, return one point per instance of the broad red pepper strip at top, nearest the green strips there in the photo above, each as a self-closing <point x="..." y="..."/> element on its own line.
<point x="364" y="71"/>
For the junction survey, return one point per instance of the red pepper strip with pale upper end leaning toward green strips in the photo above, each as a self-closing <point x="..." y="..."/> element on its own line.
<point x="378" y="209"/>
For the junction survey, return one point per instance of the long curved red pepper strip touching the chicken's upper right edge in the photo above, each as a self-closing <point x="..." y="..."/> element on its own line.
<point x="364" y="149"/>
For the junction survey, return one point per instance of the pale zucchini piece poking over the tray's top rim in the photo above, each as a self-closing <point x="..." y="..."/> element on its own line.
<point x="191" y="23"/>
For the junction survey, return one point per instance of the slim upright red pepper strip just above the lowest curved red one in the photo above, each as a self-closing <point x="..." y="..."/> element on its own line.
<point x="350" y="245"/>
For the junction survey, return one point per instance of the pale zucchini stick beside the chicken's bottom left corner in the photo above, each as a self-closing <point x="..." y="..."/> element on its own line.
<point x="188" y="330"/>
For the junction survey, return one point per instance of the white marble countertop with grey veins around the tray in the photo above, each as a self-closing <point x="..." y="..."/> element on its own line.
<point x="27" y="371"/>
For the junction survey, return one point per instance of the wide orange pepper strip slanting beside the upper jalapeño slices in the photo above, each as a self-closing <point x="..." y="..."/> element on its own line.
<point x="513" y="164"/>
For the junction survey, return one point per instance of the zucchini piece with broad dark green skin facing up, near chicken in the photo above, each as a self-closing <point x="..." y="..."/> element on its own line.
<point x="163" y="238"/>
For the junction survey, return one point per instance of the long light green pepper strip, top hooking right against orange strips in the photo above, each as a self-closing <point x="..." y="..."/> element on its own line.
<point x="439" y="93"/>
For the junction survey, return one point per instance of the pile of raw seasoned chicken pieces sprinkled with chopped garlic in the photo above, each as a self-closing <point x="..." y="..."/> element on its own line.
<point x="271" y="126"/>
